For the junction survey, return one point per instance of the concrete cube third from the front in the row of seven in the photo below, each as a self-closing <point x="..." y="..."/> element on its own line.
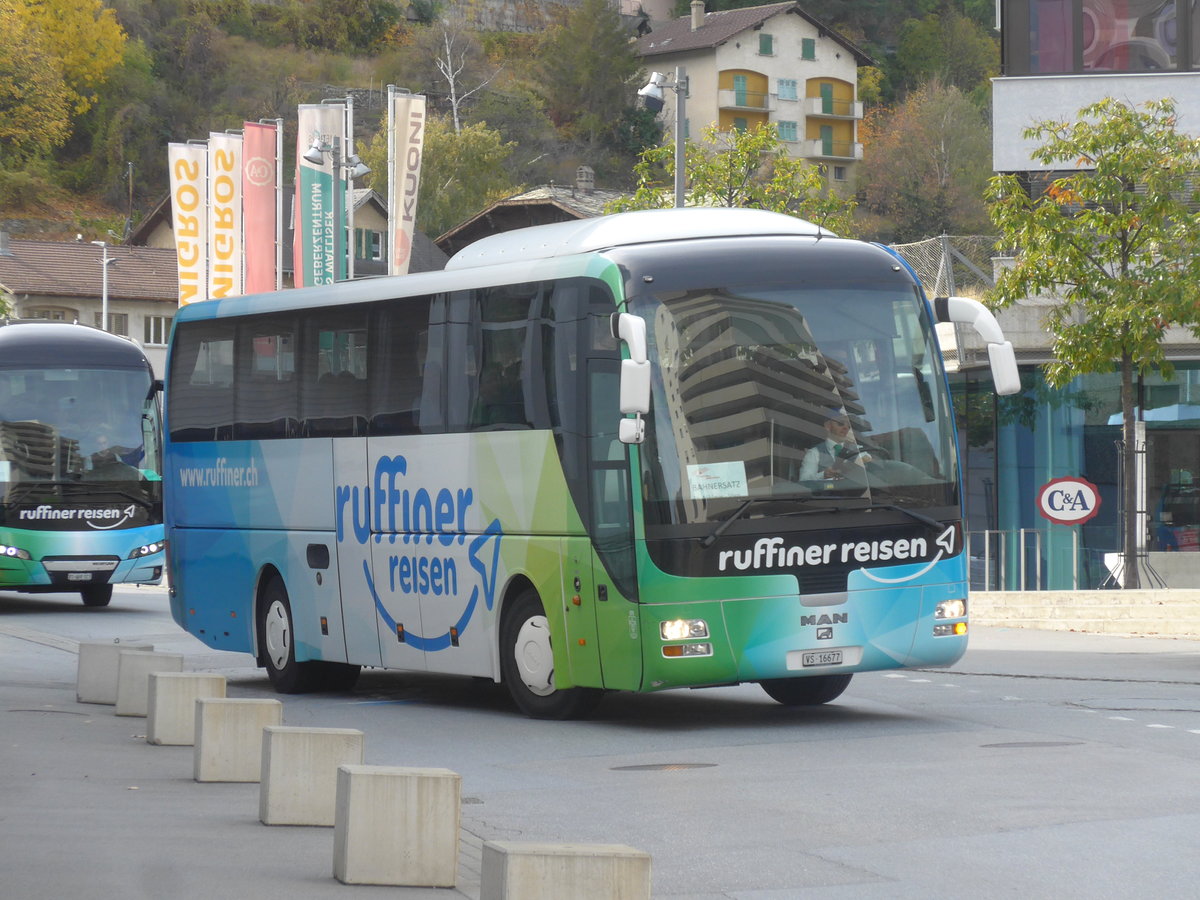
<point x="299" y="781"/>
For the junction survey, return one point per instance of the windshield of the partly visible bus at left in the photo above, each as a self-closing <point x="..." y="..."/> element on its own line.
<point x="62" y="428"/>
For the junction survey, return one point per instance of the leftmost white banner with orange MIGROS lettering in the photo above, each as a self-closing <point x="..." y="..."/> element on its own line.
<point x="189" y="214"/>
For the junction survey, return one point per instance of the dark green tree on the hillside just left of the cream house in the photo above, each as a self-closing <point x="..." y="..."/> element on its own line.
<point x="586" y="71"/>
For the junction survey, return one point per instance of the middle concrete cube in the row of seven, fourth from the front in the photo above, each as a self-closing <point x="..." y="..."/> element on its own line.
<point x="230" y="737"/>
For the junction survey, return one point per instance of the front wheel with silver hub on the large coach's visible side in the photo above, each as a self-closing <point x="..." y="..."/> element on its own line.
<point x="527" y="664"/>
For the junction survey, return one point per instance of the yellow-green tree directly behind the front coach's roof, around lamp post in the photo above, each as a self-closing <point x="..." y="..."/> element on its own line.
<point x="740" y="169"/>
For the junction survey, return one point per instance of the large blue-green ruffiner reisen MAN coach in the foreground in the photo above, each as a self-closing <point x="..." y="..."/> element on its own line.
<point x="572" y="464"/>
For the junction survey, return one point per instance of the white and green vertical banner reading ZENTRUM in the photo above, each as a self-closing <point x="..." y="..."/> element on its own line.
<point x="317" y="208"/>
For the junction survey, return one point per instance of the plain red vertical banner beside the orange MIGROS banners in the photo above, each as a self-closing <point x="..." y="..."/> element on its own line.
<point x="260" y="193"/>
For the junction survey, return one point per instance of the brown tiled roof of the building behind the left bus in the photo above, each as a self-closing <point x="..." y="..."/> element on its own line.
<point x="74" y="271"/>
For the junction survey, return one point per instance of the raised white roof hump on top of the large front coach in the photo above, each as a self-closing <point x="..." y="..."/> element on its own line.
<point x="587" y="236"/>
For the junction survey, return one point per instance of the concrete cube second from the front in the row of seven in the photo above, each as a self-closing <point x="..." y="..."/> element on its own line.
<point x="397" y="826"/>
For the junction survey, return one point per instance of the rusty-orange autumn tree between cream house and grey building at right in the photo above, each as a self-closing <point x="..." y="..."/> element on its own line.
<point x="927" y="165"/>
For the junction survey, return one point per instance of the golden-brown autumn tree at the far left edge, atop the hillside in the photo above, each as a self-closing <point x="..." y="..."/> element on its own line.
<point x="35" y="109"/>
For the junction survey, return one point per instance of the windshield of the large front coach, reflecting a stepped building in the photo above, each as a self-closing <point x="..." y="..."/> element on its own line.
<point x="790" y="388"/>
